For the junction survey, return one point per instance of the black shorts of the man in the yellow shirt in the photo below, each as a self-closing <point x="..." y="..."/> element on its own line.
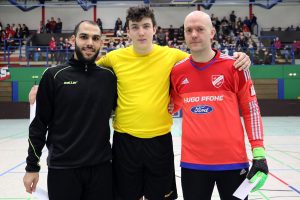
<point x="143" y="167"/>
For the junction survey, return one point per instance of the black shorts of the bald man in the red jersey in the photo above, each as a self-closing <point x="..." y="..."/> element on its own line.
<point x="199" y="184"/>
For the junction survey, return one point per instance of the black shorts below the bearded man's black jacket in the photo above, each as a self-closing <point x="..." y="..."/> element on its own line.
<point x="86" y="183"/>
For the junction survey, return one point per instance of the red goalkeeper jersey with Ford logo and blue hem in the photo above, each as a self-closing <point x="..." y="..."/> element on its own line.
<point x="211" y="96"/>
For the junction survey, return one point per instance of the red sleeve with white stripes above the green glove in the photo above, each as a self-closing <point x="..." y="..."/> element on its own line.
<point x="250" y="109"/>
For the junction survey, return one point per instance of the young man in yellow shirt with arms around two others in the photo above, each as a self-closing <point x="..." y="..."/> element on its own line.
<point x="143" y="159"/>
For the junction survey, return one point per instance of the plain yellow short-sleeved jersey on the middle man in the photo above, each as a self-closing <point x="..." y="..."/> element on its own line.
<point x="143" y="85"/>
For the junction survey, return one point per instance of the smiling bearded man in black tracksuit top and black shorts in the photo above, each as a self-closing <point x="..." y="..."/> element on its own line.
<point x="74" y="104"/>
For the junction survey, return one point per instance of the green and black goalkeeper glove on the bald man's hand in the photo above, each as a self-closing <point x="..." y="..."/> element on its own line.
<point x="259" y="169"/>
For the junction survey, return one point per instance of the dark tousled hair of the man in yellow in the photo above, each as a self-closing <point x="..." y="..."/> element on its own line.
<point x="137" y="13"/>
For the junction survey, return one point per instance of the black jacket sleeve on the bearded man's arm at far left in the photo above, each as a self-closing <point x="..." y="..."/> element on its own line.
<point x="39" y="126"/>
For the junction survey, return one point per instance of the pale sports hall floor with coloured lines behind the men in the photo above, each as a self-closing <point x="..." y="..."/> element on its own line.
<point x="282" y="140"/>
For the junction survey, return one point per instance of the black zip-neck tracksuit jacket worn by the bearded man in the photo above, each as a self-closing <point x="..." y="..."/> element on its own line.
<point x="74" y="104"/>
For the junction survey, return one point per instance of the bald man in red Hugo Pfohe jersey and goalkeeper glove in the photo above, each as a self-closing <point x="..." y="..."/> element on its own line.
<point x="210" y="92"/>
